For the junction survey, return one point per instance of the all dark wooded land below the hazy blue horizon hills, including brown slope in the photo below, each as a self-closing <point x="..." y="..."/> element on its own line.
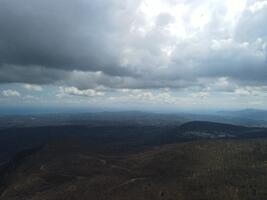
<point x="197" y="160"/>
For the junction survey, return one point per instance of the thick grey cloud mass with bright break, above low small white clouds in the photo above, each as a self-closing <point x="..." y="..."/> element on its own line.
<point x="116" y="44"/>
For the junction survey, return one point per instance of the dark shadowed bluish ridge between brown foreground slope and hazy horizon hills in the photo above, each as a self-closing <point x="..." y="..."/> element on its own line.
<point x="126" y="136"/>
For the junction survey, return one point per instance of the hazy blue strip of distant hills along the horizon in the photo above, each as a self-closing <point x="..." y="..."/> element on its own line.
<point x="249" y="117"/>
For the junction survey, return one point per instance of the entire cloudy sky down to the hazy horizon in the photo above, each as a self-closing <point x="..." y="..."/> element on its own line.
<point x="135" y="54"/>
